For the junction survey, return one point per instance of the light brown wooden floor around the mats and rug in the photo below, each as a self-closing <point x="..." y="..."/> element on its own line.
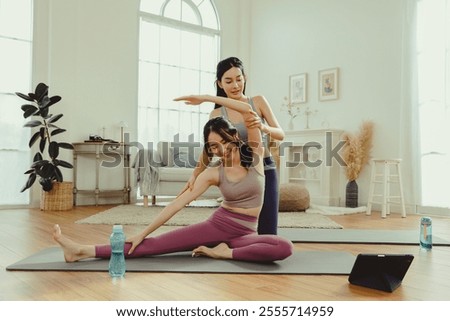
<point x="24" y="232"/>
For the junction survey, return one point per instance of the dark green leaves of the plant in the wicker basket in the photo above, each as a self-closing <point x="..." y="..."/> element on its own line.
<point x="47" y="169"/>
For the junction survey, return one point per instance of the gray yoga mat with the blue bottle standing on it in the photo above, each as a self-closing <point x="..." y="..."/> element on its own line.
<point x="404" y="237"/>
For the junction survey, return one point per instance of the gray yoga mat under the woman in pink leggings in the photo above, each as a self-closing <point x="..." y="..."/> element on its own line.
<point x="301" y="262"/>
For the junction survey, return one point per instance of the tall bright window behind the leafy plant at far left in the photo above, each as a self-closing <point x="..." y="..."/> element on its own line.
<point x="16" y="25"/>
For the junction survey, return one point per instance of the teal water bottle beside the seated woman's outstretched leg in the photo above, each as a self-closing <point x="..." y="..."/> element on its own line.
<point x="117" y="264"/>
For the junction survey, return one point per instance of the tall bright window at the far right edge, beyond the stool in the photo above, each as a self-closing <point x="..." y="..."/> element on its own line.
<point x="431" y="112"/>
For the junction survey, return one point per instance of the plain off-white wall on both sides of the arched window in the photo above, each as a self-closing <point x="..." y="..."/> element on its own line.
<point x="87" y="51"/>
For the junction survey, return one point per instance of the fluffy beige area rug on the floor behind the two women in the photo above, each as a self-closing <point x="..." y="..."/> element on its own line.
<point x="139" y="215"/>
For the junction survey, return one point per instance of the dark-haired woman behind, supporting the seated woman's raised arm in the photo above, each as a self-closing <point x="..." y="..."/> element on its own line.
<point x="231" y="83"/>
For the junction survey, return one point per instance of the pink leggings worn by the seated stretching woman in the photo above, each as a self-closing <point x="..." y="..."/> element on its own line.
<point x="236" y="230"/>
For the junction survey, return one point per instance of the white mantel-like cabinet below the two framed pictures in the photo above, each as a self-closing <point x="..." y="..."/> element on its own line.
<point x="311" y="158"/>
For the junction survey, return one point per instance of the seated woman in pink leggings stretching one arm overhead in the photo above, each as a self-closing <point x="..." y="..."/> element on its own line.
<point x="230" y="232"/>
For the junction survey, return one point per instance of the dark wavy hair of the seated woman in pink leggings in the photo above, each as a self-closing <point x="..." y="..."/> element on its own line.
<point x="229" y="134"/>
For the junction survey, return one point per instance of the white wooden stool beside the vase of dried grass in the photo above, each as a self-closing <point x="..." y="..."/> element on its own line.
<point x="390" y="174"/>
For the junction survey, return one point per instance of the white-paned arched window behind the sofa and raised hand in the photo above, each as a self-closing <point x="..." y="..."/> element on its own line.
<point x="179" y="50"/>
